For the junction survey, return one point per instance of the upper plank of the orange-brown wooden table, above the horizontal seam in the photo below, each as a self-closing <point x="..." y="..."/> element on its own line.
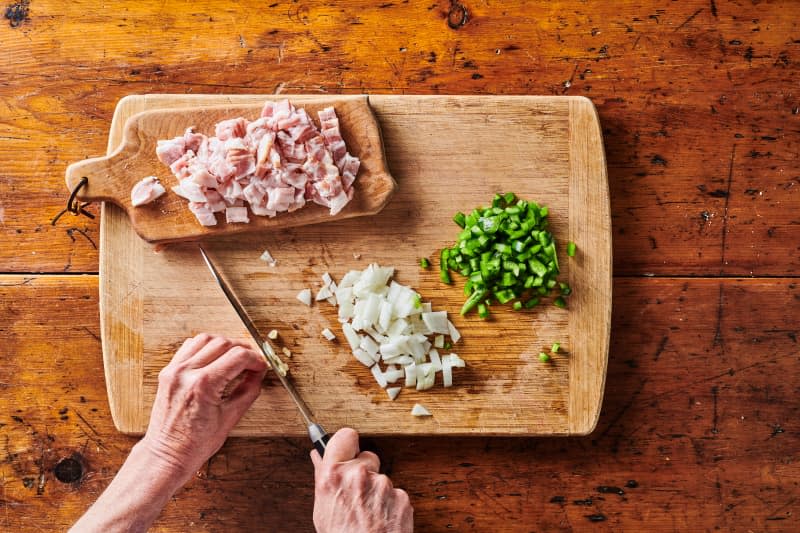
<point x="676" y="87"/>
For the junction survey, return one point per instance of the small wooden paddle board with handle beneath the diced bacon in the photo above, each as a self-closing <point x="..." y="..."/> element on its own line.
<point x="168" y="219"/>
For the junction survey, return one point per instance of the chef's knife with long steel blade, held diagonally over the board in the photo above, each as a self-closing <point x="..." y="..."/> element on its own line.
<point x="318" y="435"/>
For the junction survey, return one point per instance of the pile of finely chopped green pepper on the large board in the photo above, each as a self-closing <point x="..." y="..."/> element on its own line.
<point x="507" y="254"/>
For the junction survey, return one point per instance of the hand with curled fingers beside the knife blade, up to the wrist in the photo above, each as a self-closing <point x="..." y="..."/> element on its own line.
<point x="202" y="393"/>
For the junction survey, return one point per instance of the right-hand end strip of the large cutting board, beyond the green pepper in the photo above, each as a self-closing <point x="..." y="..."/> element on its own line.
<point x="588" y="187"/>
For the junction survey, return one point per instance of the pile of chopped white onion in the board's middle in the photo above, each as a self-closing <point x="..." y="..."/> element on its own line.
<point x="387" y="323"/>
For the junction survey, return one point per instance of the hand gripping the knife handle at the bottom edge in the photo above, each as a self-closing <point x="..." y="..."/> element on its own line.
<point x="350" y="494"/>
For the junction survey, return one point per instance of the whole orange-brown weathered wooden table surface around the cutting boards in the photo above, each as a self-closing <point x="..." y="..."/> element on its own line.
<point x="700" y="107"/>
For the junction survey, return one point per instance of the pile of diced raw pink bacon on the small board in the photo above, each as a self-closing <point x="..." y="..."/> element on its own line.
<point x="274" y="164"/>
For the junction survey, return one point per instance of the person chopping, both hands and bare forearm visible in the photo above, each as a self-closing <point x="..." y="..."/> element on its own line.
<point x="202" y="393"/>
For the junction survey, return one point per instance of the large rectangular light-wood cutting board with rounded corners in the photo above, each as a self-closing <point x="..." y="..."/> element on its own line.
<point x="447" y="154"/>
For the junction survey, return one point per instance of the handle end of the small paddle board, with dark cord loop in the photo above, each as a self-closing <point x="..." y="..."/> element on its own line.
<point x="100" y="186"/>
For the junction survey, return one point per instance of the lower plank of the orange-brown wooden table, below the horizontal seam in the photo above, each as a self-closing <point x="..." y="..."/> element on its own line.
<point x="699" y="412"/>
